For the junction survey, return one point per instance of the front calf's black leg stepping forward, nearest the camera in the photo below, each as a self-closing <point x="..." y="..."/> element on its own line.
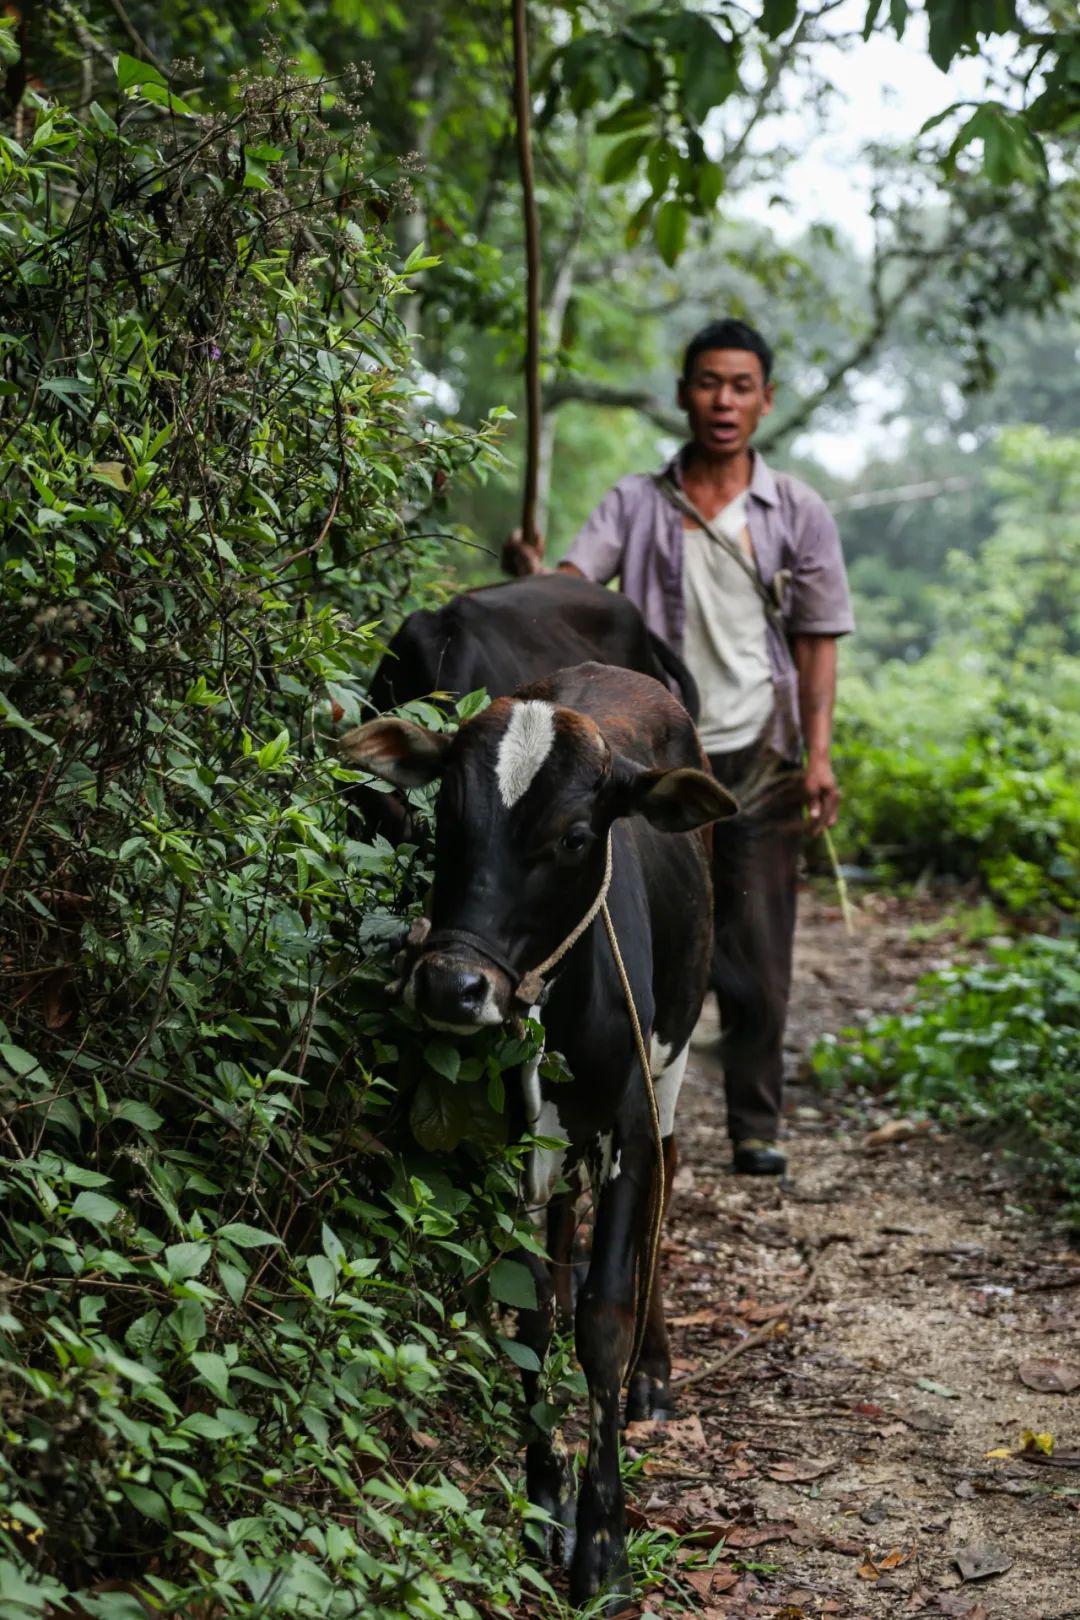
<point x="605" y="1341"/>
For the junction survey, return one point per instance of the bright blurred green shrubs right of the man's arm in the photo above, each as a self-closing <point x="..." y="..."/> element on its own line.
<point x="966" y="762"/>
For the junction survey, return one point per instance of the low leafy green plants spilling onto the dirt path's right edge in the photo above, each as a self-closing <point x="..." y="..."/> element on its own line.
<point x="997" y="1046"/>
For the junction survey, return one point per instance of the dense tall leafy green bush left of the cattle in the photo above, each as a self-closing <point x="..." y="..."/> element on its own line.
<point x="237" y="1368"/>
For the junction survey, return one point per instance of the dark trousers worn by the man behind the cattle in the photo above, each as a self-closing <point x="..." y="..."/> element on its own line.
<point x="755" y="866"/>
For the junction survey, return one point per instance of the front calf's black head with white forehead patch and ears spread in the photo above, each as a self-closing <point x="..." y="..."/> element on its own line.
<point x="529" y="793"/>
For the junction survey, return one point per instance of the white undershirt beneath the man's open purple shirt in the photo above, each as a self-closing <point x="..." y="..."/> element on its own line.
<point x="726" y="636"/>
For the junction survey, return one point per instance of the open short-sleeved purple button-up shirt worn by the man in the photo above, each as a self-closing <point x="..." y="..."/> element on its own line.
<point x="637" y="535"/>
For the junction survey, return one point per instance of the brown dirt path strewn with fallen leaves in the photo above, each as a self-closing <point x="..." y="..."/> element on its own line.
<point x="844" y="1456"/>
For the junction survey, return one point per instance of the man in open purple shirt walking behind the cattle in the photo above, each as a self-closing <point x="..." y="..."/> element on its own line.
<point x="741" y="571"/>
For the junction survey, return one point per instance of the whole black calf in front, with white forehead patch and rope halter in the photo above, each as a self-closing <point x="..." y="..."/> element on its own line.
<point x="532" y="793"/>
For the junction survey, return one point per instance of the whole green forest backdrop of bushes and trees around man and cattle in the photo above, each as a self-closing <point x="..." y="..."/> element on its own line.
<point x="261" y="301"/>
